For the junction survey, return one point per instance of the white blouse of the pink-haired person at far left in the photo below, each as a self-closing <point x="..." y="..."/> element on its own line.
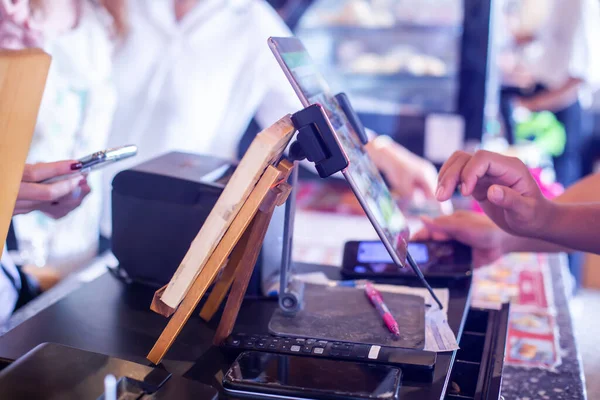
<point x="74" y="121"/>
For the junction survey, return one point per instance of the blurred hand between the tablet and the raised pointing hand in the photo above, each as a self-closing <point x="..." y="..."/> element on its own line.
<point x="406" y="172"/>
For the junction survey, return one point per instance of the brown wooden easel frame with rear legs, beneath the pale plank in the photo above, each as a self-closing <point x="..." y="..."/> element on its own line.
<point x="241" y="244"/>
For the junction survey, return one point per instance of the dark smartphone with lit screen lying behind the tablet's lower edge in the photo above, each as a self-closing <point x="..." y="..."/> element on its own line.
<point x="437" y="260"/>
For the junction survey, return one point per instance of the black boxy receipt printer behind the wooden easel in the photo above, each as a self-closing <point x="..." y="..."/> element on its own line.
<point x="159" y="206"/>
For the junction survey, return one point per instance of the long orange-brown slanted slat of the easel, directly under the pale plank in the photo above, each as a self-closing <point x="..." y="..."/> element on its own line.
<point x="217" y="259"/>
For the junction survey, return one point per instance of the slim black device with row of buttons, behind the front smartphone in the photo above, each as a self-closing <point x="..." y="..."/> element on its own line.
<point x="414" y="359"/>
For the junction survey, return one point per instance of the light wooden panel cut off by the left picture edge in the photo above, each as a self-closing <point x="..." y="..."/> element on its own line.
<point x="22" y="80"/>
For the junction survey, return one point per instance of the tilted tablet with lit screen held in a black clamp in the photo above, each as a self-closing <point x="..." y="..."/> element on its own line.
<point x="362" y="174"/>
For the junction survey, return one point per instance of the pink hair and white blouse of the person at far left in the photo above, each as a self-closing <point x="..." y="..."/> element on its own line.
<point x="75" y="113"/>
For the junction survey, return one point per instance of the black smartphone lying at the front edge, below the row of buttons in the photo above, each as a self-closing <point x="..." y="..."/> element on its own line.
<point x="268" y="375"/>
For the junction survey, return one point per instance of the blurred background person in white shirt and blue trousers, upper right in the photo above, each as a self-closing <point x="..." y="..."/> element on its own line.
<point x="557" y="69"/>
